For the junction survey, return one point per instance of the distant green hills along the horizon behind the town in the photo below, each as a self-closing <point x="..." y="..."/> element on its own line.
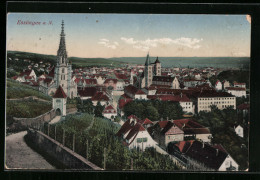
<point x="217" y="62"/>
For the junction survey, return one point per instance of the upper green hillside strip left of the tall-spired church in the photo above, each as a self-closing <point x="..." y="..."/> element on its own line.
<point x="17" y="90"/>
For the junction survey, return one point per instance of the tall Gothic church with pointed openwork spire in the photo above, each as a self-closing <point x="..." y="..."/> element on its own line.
<point x="62" y="72"/>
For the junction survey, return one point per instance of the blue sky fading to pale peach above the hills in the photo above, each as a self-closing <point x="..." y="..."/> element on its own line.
<point x="131" y="35"/>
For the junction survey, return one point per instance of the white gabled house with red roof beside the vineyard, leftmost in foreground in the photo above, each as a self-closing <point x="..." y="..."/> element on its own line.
<point x="135" y="135"/>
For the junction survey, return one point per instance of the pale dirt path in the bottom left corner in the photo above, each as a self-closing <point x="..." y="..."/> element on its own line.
<point x="19" y="156"/>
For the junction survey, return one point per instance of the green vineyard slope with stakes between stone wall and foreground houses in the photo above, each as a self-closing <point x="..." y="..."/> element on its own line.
<point x="91" y="141"/>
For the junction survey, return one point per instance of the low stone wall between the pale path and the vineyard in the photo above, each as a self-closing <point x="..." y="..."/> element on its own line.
<point x="59" y="152"/>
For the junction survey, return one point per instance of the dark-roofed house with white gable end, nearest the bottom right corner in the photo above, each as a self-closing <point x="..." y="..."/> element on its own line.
<point x="202" y="156"/>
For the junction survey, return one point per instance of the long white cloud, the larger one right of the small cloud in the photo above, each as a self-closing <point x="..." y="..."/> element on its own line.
<point x="145" y="45"/>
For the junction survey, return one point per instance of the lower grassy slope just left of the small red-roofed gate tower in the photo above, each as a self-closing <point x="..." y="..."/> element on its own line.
<point x="27" y="108"/>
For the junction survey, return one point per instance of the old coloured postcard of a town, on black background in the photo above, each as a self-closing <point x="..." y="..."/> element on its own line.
<point x="127" y="92"/>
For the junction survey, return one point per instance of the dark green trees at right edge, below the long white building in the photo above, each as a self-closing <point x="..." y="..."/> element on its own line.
<point x="221" y="124"/>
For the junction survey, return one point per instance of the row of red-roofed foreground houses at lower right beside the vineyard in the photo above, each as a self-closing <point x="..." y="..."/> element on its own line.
<point x="184" y="139"/>
